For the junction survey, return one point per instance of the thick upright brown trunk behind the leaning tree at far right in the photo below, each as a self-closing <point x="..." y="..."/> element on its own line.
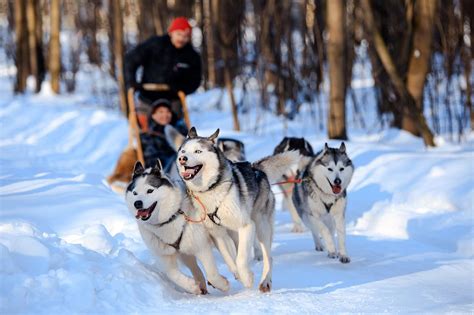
<point x="420" y="57"/>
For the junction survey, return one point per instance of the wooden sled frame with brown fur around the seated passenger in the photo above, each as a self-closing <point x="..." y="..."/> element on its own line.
<point x="122" y="173"/>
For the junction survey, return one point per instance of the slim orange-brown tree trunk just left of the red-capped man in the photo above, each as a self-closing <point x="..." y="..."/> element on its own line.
<point x="119" y="51"/>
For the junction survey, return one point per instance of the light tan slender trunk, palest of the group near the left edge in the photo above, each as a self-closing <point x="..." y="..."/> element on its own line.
<point x="54" y="45"/>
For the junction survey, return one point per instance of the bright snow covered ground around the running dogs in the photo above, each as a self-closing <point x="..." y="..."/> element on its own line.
<point x="68" y="244"/>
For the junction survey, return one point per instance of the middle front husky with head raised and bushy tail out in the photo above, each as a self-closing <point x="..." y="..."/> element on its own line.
<point x="236" y="196"/>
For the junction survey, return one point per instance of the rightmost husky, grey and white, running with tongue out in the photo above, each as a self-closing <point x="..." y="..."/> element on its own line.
<point x="320" y="199"/>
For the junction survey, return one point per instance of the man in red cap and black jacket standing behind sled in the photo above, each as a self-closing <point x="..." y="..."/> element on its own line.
<point x="168" y="59"/>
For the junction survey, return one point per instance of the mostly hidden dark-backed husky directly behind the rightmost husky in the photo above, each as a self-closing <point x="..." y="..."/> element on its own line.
<point x="306" y="151"/>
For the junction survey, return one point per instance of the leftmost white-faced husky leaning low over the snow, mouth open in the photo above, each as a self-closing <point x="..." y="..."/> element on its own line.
<point x="159" y="205"/>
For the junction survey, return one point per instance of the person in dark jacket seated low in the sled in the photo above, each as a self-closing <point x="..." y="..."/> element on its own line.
<point x="154" y="143"/>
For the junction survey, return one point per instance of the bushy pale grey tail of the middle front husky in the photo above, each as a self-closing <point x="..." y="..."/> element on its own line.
<point x="275" y="166"/>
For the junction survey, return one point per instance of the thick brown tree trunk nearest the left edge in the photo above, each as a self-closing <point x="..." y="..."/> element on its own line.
<point x="21" y="38"/>
